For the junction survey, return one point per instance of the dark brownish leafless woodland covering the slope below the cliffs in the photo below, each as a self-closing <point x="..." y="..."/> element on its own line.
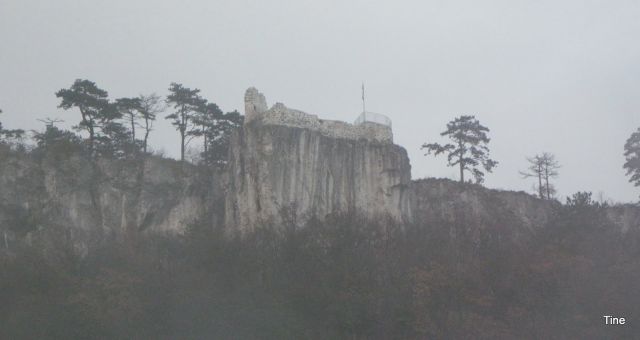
<point x="346" y="278"/>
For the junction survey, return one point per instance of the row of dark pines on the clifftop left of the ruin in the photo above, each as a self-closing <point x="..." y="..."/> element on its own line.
<point x="120" y="128"/>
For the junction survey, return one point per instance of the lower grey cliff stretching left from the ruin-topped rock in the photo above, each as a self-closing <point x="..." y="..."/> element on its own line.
<point x="62" y="197"/>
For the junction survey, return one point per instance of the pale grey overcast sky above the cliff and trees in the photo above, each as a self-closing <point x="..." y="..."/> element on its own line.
<point x="555" y="76"/>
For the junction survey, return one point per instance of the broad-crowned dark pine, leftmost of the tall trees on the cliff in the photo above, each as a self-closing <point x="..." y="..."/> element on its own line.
<point x="95" y="109"/>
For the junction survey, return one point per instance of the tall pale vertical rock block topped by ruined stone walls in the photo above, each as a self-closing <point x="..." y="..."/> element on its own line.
<point x="287" y="161"/>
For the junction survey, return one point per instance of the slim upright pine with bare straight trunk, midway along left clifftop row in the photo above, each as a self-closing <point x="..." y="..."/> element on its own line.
<point x="185" y="101"/>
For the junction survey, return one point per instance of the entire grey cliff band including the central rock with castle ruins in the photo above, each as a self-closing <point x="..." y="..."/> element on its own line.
<point x="283" y="164"/>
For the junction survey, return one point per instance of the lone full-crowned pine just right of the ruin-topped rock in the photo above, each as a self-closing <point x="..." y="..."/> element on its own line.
<point x="469" y="149"/>
